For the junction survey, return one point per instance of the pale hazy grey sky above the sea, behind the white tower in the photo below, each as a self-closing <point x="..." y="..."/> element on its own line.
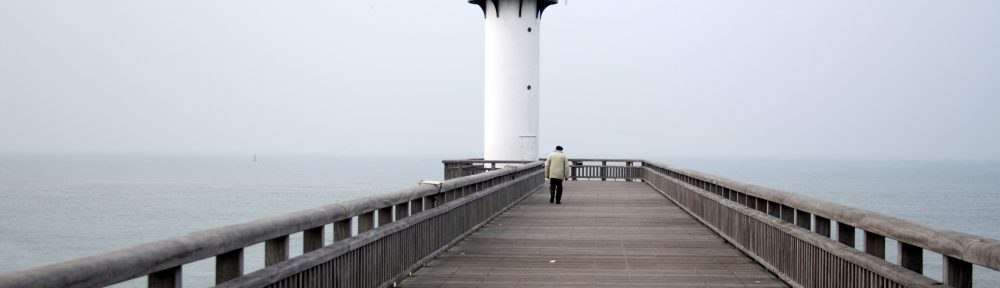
<point x="888" y="79"/>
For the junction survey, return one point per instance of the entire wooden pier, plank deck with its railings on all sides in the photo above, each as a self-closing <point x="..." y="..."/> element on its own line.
<point x="623" y="223"/>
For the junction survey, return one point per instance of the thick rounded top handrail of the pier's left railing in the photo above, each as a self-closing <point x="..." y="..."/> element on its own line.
<point x="144" y="259"/>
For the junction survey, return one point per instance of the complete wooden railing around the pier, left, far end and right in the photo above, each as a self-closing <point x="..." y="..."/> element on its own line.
<point x="789" y="234"/>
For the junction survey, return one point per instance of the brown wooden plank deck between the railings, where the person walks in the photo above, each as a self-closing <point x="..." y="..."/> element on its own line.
<point x="605" y="234"/>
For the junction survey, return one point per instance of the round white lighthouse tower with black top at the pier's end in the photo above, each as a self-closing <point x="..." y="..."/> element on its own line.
<point x="511" y="83"/>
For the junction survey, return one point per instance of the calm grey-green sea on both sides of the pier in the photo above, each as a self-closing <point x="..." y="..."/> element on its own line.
<point x="58" y="207"/>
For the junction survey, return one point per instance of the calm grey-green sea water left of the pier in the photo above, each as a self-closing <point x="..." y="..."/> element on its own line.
<point x="55" y="208"/>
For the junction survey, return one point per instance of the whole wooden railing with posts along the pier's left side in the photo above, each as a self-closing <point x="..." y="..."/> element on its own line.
<point x="396" y="233"/>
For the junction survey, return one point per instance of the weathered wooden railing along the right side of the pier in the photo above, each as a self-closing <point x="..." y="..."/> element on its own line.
<point x="791" y="234"/>
